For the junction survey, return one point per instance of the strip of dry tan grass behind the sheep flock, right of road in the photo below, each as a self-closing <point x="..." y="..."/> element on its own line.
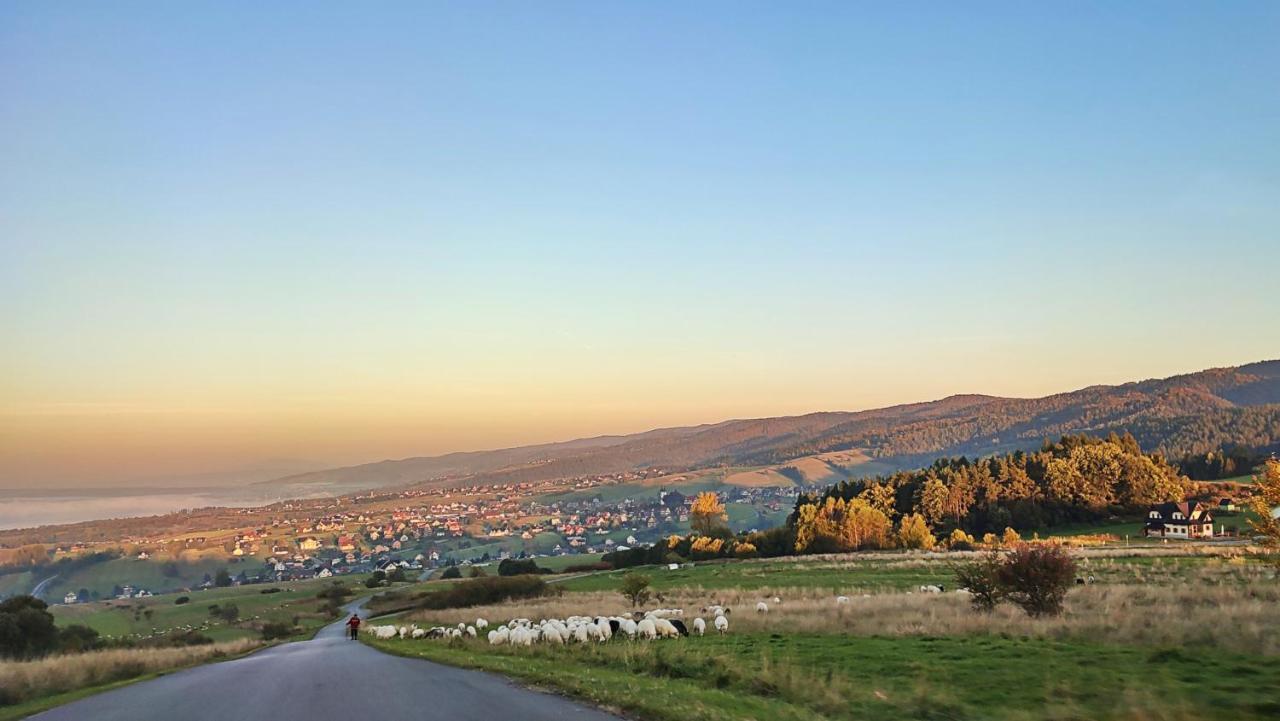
<point x="1220" y="605"/>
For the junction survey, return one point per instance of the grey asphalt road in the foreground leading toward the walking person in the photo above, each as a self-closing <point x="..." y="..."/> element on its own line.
<point x="326" y="678"/>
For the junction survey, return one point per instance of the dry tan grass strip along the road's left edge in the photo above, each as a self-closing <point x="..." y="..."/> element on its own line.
<point x="26" y="681"/>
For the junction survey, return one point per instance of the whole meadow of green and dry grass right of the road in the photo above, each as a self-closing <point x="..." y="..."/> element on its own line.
<point x="1172" y="632"/>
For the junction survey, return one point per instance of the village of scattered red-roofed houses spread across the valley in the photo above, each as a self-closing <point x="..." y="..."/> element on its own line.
<point x="419" y="531"/>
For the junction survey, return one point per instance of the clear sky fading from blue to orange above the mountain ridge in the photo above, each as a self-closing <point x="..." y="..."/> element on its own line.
<point x="239" y="236"/>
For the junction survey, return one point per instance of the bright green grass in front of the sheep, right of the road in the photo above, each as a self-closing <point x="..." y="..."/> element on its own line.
<point x="836" y="677"/>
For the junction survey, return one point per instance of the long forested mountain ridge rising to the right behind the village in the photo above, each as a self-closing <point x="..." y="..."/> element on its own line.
<point x="1183" y="414"/>
